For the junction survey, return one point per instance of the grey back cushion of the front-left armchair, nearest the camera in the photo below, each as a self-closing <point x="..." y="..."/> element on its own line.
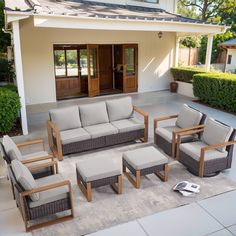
<point x="25" y="178"/>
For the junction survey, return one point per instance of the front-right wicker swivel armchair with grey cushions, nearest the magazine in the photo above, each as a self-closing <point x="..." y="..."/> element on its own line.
<point x="211" y="153"/>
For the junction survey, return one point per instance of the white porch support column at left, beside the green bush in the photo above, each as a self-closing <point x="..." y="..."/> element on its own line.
<point x="19" y="74"/>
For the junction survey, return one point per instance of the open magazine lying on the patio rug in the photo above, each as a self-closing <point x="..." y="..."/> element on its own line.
<point x="186" y="188"/>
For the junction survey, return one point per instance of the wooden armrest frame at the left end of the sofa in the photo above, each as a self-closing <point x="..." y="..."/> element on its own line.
<point x="56" y="150"/>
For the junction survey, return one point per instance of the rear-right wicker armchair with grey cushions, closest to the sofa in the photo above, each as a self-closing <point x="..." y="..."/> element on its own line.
<point x="187" y="119"/>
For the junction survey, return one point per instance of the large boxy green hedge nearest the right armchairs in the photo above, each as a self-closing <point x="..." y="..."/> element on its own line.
<point x="216" y="89"/>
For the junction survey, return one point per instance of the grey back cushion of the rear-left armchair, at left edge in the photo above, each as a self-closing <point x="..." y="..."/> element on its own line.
<point x="11" y="149"/>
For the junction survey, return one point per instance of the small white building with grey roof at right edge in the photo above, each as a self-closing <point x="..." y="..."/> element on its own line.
<point x="230" y="47"/>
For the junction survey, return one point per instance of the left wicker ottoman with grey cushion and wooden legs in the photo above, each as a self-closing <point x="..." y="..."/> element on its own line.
<point x="98" y="172"/>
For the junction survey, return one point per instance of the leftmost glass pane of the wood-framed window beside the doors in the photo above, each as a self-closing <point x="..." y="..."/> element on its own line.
<point x="60" y="66"/>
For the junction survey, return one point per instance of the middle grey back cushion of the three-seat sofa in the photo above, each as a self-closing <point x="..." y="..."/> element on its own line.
<point x="93" y="114"/>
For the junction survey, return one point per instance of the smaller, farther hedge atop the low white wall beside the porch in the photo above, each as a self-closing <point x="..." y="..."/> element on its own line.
<point x="185" y="74"/>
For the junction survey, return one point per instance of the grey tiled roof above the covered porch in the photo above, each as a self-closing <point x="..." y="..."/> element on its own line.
<point x="82" y="8"/>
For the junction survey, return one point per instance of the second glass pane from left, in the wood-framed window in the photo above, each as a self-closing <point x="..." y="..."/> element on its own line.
<point x="72" y="62"/>
